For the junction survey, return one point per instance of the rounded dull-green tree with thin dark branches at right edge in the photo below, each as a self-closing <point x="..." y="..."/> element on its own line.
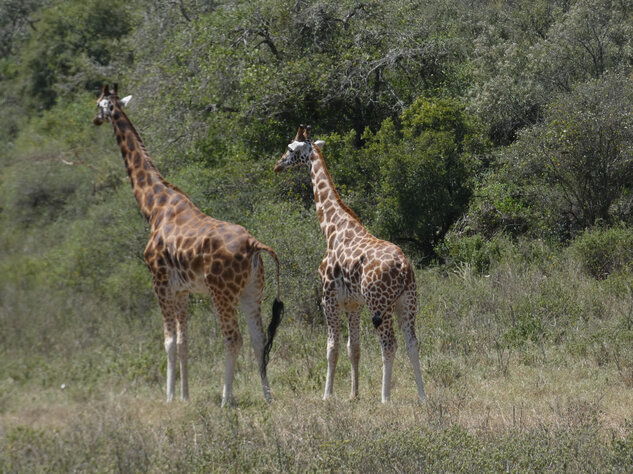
<point x="577" y="167"/>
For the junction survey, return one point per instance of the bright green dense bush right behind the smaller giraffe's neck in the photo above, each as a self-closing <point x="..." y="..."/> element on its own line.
<point x="426" y="173"/>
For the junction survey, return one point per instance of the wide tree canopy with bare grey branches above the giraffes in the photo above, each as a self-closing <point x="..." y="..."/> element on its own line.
<point x="256" y="70"/>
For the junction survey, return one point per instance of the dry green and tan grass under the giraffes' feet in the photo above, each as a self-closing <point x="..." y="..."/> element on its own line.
<point x="528" y="367"/>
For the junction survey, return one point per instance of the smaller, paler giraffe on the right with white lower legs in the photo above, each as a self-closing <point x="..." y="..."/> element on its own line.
<point x="357" y="269"/>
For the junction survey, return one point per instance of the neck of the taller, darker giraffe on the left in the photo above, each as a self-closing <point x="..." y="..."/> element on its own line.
<point x="149" y="187"/>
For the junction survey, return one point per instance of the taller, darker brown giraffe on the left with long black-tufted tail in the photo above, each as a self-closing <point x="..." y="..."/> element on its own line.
<point x="190" y="252"/>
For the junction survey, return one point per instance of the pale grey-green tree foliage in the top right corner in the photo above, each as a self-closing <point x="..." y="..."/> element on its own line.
<point x="530" y="53"/>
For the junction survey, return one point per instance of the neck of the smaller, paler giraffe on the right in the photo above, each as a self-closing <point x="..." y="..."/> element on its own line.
<point x="331" y="210"/>
